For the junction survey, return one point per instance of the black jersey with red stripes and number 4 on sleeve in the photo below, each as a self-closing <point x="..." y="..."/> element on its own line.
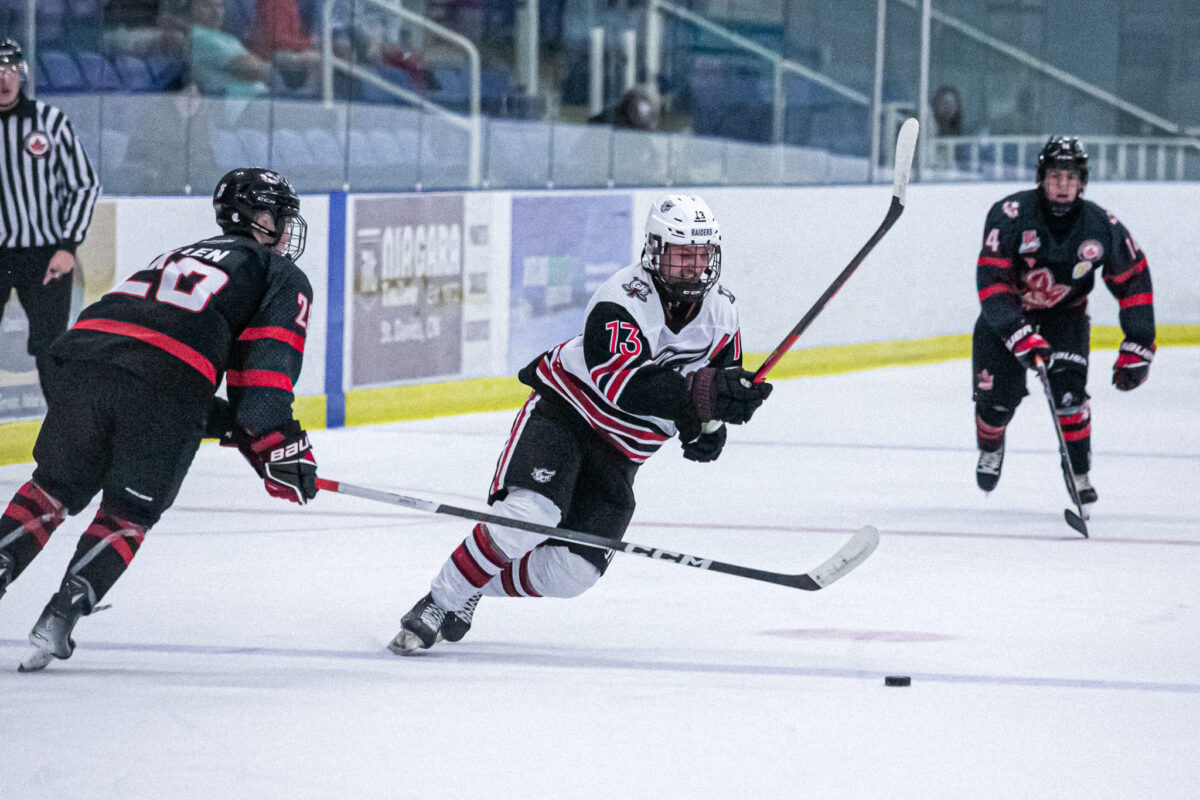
<point x="1027" y="272"/>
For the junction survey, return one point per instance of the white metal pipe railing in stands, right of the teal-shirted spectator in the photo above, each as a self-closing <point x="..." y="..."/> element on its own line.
<point x="471" y="123"/>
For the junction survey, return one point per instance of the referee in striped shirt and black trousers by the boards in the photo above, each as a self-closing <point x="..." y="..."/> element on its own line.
<point x="47" y="193"/>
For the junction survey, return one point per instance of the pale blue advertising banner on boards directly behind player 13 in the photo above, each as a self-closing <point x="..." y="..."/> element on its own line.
<point x="563" y="248"/>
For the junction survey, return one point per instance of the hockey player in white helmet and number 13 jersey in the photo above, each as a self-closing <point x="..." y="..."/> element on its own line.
<point x="661" y="356"/>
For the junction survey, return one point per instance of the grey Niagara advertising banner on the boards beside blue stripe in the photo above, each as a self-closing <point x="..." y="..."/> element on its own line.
<point x="406" y="318"/>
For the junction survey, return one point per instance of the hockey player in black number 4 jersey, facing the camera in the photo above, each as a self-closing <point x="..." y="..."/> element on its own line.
<point x="1042" y="251"/>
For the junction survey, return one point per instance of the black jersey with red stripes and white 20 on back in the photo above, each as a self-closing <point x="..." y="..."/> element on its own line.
<point x="223" y="309"/>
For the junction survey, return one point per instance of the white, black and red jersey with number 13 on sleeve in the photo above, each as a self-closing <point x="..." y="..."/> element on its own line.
<point x="626" y="375"/>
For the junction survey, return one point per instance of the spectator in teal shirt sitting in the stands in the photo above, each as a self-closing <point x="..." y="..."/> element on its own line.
<point x="221" y="64"/>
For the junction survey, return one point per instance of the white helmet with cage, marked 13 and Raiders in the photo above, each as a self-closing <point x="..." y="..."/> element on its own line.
<point x="676" y="231"/>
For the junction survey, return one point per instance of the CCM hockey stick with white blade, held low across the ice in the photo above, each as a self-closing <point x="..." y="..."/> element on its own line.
<point x="851" y="555"/>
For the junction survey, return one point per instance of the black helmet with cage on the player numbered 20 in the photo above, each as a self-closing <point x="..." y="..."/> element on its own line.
<point x="247" y="193"/>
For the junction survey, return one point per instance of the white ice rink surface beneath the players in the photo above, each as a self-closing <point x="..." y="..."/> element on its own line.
<point x="244" y="654"/>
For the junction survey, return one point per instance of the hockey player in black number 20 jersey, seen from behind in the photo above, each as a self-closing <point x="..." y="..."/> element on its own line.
<point x="131" y="393"/>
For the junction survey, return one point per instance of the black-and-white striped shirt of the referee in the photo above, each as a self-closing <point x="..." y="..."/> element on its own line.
<point x="47" y="184"/>
